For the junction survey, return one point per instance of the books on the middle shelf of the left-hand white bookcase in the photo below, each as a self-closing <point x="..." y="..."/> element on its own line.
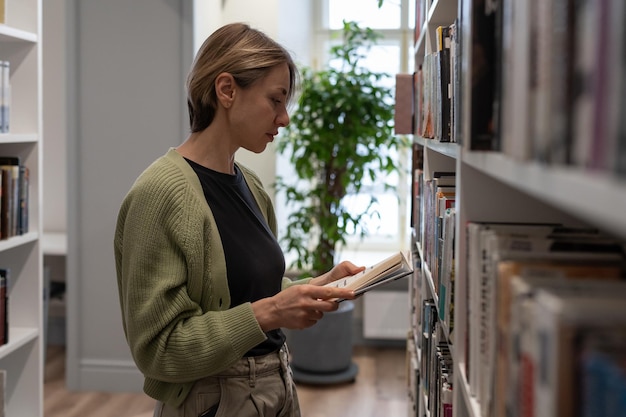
<point x="14" y="197"/>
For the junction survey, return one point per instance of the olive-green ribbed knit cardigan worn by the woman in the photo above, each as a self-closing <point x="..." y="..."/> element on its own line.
<point x="171" y="275"/>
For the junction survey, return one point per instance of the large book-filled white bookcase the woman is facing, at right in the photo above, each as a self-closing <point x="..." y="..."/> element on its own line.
<point x="517" y="126"/>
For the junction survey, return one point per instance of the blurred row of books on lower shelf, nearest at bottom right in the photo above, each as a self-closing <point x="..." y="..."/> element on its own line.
<point x="520" y="358"/>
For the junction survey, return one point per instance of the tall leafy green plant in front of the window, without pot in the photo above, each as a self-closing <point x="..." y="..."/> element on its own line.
<point x="340" y="133"/>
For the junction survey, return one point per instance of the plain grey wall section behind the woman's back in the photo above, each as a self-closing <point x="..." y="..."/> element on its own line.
<point x="126" y="106"/>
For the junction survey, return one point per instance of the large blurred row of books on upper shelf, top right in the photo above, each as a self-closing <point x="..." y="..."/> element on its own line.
<point x="551" y="83"/>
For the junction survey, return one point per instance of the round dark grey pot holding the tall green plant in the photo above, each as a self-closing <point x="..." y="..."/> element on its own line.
<point x="322" y="354"/>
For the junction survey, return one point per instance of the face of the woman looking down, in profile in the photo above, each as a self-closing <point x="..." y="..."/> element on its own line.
<point x="258" y="111"/>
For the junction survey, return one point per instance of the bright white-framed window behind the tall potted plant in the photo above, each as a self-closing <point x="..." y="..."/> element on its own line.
<point x="393" y="54"/>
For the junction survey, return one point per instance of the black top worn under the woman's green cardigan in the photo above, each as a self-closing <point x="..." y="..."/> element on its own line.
<point x="255" y="263"/>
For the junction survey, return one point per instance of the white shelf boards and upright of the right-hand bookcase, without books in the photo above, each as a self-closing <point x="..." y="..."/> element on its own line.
<point x="491" y="186"/>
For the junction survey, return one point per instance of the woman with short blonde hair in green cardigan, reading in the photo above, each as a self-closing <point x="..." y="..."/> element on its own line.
<point x="199" y="270"/>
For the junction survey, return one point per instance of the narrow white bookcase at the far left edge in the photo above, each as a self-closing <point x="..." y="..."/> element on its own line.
<point x="21" y="358"/>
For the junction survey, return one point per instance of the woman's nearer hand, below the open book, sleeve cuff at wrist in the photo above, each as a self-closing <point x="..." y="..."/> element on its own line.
<point x="299" y="306"/>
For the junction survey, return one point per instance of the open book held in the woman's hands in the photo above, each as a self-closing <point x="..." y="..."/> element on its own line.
<point x="389" y="269"/>
